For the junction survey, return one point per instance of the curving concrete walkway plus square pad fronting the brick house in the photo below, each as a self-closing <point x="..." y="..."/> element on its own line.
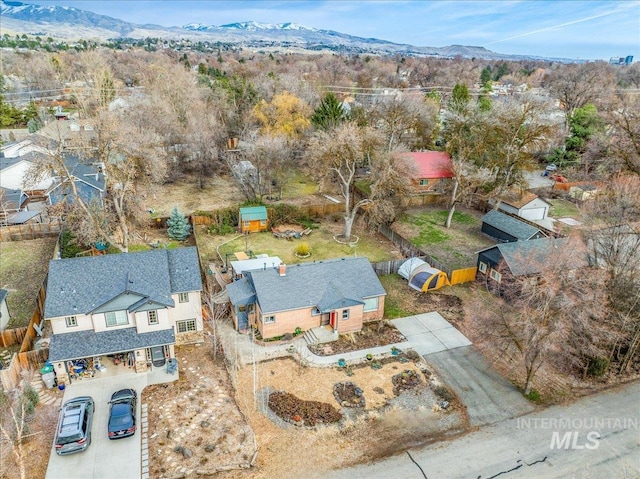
<point x="426" y="334"/>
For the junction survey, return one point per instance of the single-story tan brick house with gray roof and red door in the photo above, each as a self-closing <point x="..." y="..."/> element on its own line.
<point x="341" y="293"/>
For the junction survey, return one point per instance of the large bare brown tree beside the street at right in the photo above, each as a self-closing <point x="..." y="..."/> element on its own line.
<point x="555" y="313"/>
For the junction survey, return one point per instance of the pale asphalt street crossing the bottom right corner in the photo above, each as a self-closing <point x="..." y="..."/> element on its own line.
<point x="529" y="447"/>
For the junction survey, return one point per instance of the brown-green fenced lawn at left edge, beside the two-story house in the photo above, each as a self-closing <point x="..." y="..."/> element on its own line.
<point x="23" y="268"/>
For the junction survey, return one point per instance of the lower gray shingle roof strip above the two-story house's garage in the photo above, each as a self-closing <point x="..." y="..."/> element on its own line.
<point x="82" y="344"/>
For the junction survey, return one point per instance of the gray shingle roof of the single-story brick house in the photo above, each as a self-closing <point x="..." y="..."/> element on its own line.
<point x="306" y="284"/>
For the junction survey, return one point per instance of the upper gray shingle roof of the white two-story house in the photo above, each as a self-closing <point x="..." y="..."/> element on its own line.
<point x="80" y="285"/>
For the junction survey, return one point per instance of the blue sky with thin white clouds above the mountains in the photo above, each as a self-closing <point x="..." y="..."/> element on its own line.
<point x="574" y="29"/>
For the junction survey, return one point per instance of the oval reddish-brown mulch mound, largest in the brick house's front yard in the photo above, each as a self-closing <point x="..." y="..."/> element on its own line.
<point x="303" y="413"/>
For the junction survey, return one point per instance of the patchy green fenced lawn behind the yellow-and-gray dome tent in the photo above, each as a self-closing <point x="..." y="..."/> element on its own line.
<point x="457" y="246"/>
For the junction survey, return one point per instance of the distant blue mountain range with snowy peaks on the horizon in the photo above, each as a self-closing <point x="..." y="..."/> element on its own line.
<point x="69" y="24"/>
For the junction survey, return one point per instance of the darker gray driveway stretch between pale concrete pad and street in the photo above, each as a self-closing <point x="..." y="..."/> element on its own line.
<point x="489" y="397"/>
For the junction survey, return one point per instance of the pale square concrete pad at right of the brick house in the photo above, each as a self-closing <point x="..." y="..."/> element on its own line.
<point x="430" y="333"/>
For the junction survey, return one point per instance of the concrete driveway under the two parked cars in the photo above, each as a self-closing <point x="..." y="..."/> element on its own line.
<point x="103" y="459"/>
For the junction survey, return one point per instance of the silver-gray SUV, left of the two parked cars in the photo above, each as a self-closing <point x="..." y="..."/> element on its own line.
<point x="74" y="425"/>
